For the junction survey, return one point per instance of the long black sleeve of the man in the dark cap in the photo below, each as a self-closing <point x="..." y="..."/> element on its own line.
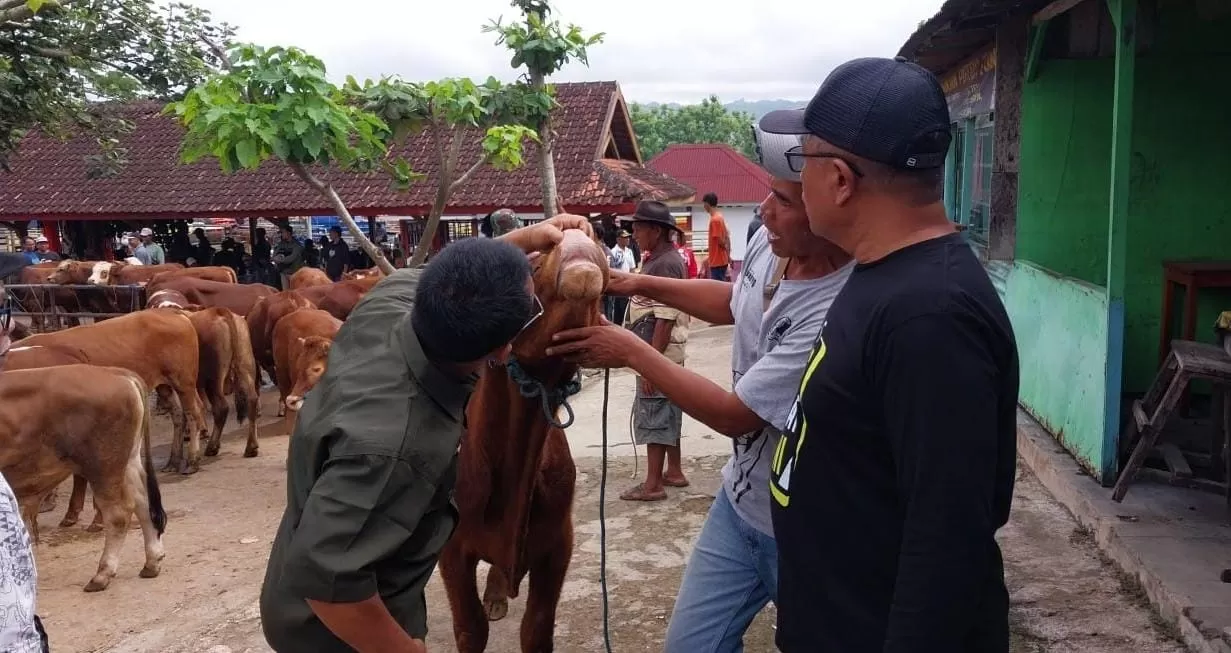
<point x="940" y="397"/>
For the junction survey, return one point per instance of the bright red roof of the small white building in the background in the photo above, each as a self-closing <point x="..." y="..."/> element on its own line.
<point x="715" y="168"/>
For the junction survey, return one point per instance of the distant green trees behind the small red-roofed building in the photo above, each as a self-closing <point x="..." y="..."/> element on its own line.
<point x="708" y="123"/>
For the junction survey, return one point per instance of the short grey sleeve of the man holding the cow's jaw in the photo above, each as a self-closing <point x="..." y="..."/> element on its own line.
<point x="769" y="389"/>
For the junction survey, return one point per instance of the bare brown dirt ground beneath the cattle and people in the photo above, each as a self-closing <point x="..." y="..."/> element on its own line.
<point x="221" y="521"/>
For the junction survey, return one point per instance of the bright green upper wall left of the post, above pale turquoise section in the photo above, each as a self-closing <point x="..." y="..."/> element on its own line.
<point x="1064" y="182"/>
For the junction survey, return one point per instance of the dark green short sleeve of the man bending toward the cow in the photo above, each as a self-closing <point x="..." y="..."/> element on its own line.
<point x="361" y="511"/>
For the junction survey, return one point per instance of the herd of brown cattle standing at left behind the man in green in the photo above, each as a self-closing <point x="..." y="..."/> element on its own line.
<point x="77" y="402"/>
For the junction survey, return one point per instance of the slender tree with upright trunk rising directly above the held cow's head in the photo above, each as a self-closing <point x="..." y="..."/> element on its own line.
<point x="543" y="47"/>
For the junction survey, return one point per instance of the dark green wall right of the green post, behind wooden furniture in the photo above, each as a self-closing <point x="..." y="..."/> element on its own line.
<point x="1181" y="184"/>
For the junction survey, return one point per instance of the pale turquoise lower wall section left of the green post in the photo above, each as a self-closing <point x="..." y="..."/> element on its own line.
<point x="1062" y="337"/>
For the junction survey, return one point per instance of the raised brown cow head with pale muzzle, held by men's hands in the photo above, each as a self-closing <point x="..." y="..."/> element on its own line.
<point x="569" y="282"/>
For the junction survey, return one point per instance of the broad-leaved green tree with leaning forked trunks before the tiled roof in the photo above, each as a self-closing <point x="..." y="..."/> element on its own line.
<point x="279" y="104"/>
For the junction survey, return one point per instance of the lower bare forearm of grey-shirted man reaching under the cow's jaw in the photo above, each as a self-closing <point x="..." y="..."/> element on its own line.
<point x="706" y="401"/>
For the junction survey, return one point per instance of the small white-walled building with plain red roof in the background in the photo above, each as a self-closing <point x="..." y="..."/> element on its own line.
<point x="739" y="184"/>
